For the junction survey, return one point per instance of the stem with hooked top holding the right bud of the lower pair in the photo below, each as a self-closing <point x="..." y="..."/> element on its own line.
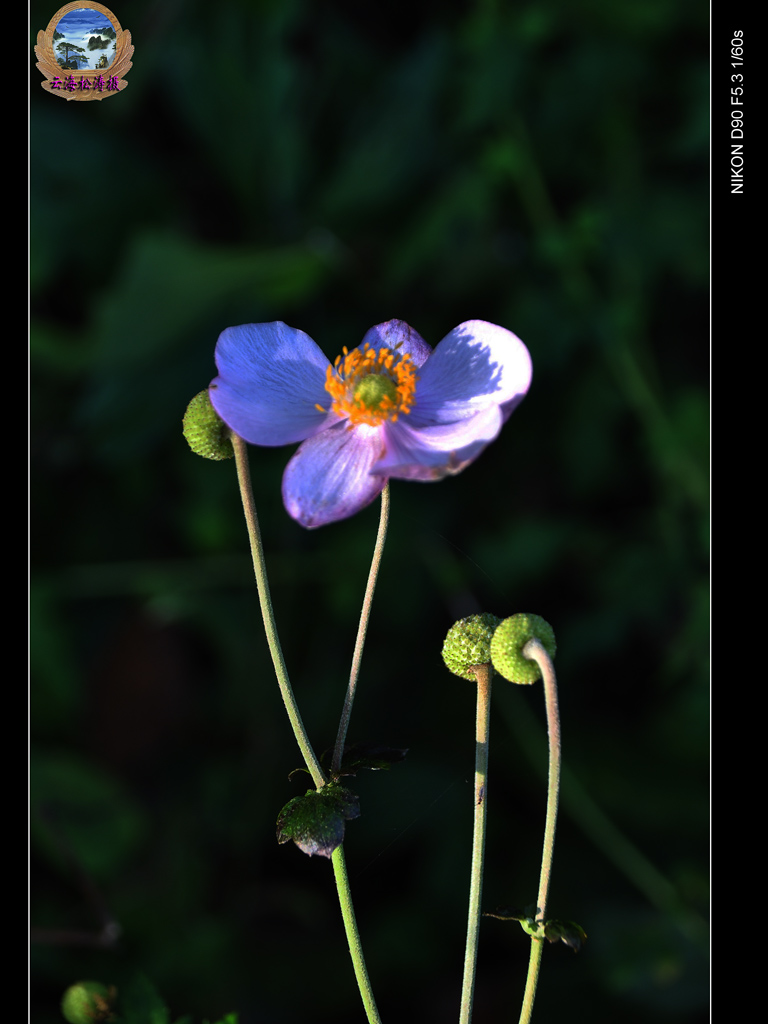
<point x="535" y="651"/>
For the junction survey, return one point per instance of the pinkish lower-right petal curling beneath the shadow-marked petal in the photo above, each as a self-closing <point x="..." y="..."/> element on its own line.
<point x="432" y="453"/>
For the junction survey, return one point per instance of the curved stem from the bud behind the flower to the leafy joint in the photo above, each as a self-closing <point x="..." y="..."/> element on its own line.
<point x="258" y="554"/>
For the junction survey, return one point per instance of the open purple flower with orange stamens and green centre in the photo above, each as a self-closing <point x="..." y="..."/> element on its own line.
<point x="390" y="408"/>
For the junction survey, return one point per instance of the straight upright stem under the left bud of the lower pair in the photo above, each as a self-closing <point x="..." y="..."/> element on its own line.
<point x="485" y="675"/>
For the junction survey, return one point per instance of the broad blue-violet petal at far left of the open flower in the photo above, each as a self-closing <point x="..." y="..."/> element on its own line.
<point x="272" y="377"/>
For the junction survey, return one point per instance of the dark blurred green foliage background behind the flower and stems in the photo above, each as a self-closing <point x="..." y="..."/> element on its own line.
<point x="334" y="165"/>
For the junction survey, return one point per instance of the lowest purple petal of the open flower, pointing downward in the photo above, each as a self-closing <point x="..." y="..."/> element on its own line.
<point x="330" y="478"/>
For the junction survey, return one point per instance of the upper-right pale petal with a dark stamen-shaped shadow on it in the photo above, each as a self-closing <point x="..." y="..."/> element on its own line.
<point x="477" y="366"/>
